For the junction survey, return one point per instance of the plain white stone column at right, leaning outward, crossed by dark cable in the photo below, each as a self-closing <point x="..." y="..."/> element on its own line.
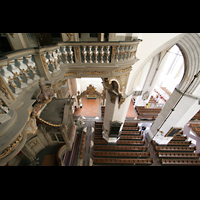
<point x="176" y="113"/>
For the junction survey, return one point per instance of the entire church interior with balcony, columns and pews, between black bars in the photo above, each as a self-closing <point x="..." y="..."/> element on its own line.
<point x="99" y="99"/>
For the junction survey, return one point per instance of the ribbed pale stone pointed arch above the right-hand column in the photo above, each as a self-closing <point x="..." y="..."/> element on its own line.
<point x="189" y="46"/>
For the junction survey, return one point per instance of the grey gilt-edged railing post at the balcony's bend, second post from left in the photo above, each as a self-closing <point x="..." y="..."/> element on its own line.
<point x="43" y="68"/>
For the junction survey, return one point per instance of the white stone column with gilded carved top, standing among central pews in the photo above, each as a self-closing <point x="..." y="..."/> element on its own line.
<point x="116" y="108"/>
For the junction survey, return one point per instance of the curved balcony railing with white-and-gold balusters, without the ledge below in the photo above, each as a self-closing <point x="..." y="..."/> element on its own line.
<point x="23" y="67"/>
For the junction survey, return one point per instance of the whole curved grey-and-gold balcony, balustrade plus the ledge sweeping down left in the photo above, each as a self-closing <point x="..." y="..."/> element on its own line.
<point x="20" y="71"/>
